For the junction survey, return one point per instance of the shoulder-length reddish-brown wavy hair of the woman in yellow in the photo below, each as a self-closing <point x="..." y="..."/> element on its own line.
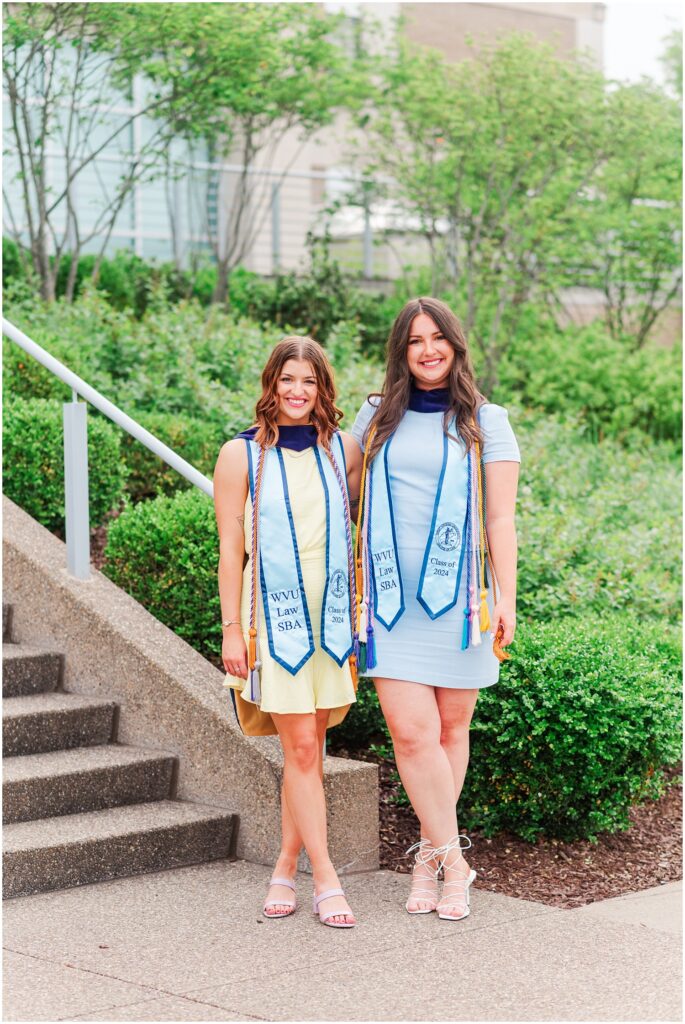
<point x="325" y="415"/>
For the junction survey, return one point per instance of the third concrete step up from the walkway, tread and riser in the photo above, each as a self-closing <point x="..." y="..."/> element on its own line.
<point x="44" y="722"/>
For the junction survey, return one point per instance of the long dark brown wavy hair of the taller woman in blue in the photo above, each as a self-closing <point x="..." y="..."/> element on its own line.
<point x="464" y="395"/>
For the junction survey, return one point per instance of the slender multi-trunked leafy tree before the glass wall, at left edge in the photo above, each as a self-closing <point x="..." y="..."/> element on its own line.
<point x="65" y="67"/>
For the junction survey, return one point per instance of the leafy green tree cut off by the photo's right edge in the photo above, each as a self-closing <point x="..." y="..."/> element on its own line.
<point x="627" y="236"/>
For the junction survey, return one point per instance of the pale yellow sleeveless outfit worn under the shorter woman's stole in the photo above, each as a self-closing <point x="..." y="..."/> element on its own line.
<point x="321" y="682"/>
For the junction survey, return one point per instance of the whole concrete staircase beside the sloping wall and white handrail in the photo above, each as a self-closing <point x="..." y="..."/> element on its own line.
<point x="78" y="807"/>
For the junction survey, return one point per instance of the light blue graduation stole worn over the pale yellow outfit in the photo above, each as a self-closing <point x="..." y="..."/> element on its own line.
<point x="286" y="613"/>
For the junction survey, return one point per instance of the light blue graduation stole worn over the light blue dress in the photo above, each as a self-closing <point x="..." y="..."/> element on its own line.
<point x="447" y="545"/>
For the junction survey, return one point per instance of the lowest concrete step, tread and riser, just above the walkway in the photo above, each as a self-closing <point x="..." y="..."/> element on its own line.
<point x="58" y="854"/>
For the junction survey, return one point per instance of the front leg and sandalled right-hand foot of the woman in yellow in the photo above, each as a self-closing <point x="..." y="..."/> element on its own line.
<point x="305" y="796"/>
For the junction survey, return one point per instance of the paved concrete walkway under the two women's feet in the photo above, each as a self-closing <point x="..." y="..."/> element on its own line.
<point x="191" y="946"/>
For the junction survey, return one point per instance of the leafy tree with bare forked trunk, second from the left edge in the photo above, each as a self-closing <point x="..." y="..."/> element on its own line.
<point x="256" y="73"/>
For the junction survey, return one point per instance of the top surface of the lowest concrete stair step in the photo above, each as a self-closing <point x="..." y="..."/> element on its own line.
<point x="91" y="827"/>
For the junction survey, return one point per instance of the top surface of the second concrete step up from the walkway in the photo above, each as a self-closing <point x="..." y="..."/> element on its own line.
<point x="76" y="760"/>
